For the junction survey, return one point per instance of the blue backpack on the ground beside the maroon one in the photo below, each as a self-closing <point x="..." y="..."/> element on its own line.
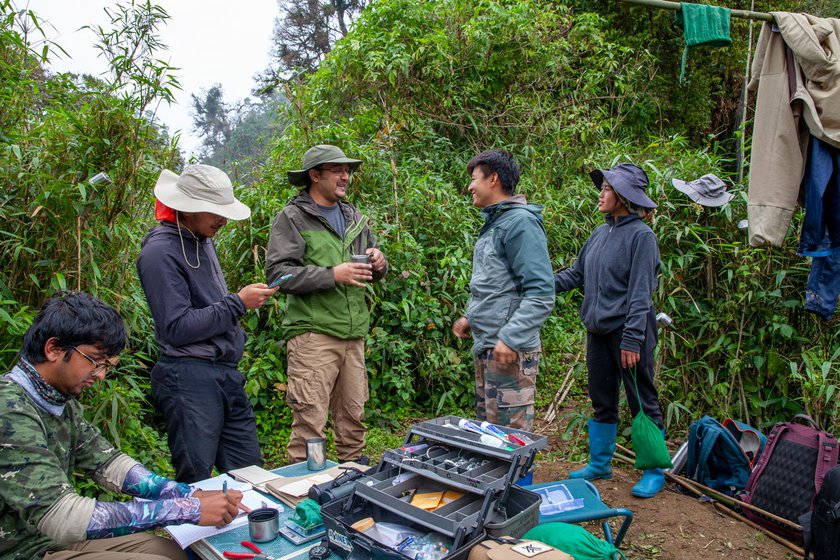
<point x="722" y="456"/>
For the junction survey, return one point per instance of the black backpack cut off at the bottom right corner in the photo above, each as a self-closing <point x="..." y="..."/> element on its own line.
<point x="824" y="539"/>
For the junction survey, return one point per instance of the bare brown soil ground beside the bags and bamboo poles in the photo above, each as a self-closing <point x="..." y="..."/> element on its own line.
<point x="671" y="525"/>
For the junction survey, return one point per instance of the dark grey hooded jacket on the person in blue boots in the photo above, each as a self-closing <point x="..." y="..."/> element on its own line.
<point x="617" y="269"/>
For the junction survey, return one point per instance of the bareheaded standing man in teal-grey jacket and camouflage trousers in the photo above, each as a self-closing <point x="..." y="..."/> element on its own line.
<point x="511" y="293"/>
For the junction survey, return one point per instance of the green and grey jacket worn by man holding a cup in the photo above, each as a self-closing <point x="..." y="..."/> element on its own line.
<point x="304" y="244"/>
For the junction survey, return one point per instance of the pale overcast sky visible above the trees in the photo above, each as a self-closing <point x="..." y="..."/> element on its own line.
<point x="209" y="40"/>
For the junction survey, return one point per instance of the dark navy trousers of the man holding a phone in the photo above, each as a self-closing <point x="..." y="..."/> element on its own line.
<point x="209" y="420"/>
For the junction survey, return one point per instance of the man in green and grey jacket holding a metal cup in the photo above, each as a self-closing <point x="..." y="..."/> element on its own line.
<point x="312" y="242"/>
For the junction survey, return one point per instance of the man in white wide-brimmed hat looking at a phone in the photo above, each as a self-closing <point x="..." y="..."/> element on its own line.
<point x="195" y="383"/>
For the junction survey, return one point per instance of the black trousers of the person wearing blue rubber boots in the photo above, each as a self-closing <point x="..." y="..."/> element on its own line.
<point x="603" y="361"/>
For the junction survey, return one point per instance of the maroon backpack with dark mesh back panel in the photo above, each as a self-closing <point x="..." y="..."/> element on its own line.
<point x="789" y="473"/>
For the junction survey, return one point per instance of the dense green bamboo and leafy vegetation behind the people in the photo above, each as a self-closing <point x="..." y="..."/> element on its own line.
<point x="416" y="89"/>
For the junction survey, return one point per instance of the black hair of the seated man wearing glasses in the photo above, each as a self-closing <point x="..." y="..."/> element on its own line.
<point x="74" y="318"/>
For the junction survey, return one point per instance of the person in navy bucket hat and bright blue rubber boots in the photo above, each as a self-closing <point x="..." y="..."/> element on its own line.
<point x="617" y="269"/>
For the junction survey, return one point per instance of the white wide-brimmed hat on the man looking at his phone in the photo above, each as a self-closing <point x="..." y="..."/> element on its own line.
<point x="200" y="188"/>
